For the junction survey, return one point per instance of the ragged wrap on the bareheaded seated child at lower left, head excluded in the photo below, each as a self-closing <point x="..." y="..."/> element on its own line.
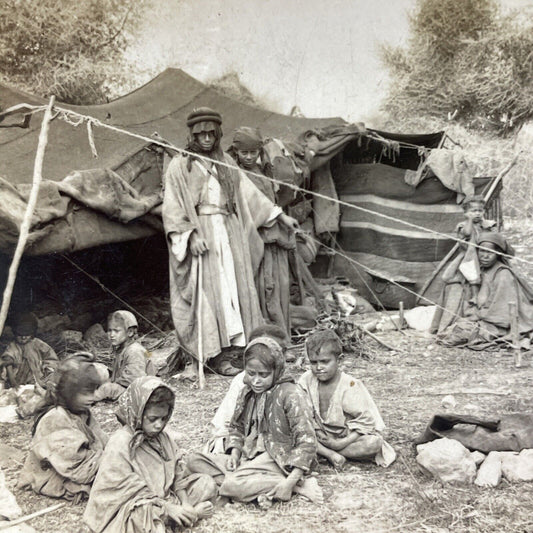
<point x="65" y="454"/>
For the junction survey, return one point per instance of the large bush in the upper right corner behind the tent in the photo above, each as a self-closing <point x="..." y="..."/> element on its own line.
<point x="463" y="61"/>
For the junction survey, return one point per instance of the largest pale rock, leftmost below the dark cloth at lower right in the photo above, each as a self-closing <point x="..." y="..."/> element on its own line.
<point x="448" y="460"/>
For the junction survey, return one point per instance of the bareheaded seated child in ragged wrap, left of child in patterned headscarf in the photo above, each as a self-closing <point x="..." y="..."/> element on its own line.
<point x="67" y="442"/>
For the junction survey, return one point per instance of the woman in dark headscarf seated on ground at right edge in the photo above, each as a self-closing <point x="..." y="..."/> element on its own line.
<point x="489" y="320"/>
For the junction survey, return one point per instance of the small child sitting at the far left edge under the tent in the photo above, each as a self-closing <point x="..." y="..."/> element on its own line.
<point x="28" y="360"/>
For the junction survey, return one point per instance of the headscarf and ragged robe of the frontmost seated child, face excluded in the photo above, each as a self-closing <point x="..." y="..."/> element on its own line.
<point x="138" y="474"/>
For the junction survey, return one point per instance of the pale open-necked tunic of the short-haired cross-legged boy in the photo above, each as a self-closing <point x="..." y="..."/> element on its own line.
<point x="351" y="409"/>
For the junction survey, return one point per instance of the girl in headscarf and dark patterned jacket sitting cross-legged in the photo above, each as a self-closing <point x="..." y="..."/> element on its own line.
<point x="271" y="444"/>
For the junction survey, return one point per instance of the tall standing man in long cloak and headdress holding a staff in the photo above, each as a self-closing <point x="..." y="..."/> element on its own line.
<point x="211" y="214"/>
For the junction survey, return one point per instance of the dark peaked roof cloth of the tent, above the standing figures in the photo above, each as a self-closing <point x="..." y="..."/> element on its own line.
<point x="161" y="106"/>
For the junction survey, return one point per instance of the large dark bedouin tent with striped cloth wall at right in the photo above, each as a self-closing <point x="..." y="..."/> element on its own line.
<point x="102" y="187"/>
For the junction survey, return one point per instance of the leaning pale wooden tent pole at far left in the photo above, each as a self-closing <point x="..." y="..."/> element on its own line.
<point x="26" y="221"/>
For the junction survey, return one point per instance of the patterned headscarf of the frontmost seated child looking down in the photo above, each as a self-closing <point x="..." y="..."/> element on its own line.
<point x="131" y="406"/>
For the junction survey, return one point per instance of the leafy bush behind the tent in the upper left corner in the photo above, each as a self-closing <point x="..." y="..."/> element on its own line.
<point x="68" y="48"/>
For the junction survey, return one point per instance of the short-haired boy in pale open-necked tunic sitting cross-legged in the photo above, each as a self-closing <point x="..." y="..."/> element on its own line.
<point x="346" y="419"/>
